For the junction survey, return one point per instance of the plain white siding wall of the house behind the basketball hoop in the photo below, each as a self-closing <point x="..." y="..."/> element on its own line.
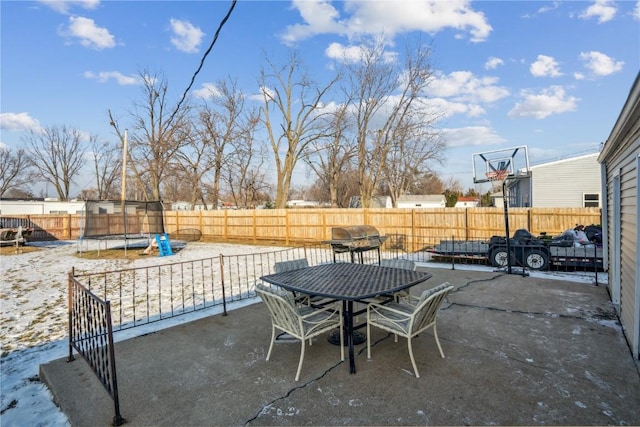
<point x="562" y="184"/>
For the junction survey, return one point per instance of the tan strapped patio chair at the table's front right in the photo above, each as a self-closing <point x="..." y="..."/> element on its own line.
<point x="408" y="319"/>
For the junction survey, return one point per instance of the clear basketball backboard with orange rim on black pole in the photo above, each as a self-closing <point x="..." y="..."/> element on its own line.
<point x="498" y="165"/>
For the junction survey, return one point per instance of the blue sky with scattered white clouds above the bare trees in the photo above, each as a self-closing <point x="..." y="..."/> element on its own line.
<point x="552" y="76"/>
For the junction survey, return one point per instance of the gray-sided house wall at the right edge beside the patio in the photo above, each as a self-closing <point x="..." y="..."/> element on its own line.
<point x="620" y="160"/>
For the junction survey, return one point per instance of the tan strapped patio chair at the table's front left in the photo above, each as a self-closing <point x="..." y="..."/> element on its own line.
<point x="303" y="323"/>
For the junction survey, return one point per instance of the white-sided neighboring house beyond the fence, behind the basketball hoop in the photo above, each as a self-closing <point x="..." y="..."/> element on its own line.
<point x="569" y="183"/>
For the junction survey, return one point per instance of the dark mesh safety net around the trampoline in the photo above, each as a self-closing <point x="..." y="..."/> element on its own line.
<point x="106" y="219"/>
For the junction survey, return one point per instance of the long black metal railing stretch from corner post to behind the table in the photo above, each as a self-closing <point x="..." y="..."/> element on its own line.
<point x="139" y="296"/>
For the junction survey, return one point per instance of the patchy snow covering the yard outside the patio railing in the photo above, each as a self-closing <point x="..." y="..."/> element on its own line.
<point x="33" y="316"/>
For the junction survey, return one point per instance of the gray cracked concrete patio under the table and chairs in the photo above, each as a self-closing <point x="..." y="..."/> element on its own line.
<point x="519" y="351"/>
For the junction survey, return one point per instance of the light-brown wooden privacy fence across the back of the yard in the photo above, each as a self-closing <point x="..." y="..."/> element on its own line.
<point x="293" y="226"/>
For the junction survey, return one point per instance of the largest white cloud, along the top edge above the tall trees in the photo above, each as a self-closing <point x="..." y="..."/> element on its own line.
<point x="375" y="17"/>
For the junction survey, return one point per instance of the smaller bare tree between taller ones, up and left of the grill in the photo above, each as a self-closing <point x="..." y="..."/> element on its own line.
<point x="330" y="157"/>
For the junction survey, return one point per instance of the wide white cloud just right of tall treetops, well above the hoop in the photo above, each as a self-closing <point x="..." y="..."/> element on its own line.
<point x="464" y="86"/>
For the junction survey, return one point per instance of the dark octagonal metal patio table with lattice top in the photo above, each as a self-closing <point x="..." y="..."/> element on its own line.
<point x="349" y="283"/>
